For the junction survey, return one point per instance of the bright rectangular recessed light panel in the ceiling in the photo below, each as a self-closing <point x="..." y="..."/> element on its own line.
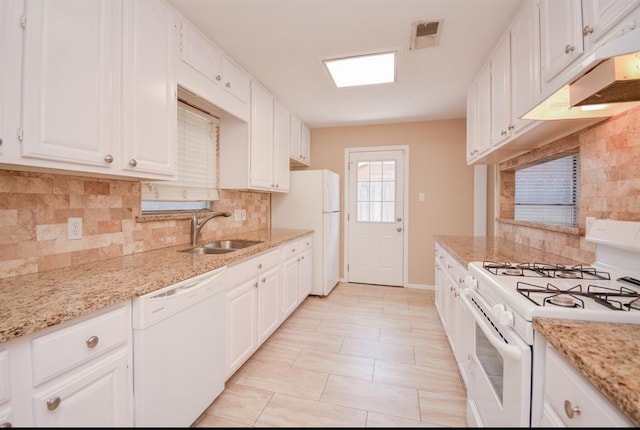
<point x="369" y="69"/>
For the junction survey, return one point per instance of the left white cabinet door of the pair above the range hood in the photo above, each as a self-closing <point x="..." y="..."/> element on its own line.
<point x="560" y="35"/>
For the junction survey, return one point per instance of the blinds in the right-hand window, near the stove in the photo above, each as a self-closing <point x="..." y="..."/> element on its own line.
<point x="549" y="192"/>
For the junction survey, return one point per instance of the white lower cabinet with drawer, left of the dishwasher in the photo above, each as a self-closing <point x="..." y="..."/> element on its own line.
<point x="76" y="374"/>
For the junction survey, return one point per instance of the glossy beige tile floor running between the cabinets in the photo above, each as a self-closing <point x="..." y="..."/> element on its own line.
<point x="364" y="356"/>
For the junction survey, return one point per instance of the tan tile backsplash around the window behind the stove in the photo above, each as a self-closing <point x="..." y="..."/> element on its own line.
<point x="609" y="185"/>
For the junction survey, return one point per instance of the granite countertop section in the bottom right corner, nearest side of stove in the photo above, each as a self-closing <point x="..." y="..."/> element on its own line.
<point x="607" y="354"/>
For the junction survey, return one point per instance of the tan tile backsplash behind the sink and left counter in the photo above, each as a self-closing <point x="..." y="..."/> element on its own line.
<point x="35" y="207"/>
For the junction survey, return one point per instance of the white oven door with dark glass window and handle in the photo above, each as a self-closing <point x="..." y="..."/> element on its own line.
<point x="498" y="365"/>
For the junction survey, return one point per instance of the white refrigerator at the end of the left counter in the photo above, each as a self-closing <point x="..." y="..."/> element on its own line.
<point x="313" y="202"/>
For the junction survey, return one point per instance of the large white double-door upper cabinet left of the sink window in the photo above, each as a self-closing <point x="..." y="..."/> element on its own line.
<point x="97" y="80"/>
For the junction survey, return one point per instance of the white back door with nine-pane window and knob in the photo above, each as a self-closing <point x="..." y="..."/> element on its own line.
<point x="375" y="220"/>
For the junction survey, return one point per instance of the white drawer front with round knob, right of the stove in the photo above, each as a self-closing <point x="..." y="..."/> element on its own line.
<point x="564" y="383"/>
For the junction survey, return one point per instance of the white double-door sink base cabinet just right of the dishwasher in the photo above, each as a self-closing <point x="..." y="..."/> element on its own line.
<point x="253" y="311"/>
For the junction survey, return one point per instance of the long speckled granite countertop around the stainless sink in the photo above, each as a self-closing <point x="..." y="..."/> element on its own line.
<point x="29" y="303"/>
